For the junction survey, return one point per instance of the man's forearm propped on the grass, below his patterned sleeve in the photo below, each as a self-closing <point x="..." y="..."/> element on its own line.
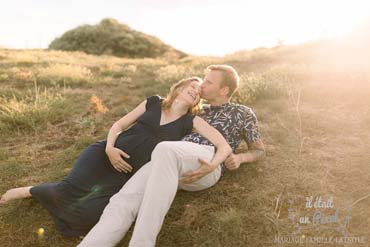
<point x="256" y="151"/>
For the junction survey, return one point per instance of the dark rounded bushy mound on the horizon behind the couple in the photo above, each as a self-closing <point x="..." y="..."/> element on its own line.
<point x="113" y="38"/>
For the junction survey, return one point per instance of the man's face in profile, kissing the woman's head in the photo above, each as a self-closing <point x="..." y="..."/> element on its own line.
<point x="211" y="86"/>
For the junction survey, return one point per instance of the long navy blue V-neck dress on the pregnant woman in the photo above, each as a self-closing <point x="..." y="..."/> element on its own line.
<point x="77" y="202"/>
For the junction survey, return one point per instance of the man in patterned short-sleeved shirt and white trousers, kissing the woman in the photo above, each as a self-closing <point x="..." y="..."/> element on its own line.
<point x="150" y="192"/>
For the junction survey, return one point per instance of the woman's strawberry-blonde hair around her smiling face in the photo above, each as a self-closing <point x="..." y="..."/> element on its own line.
<point x="175" y="90"/>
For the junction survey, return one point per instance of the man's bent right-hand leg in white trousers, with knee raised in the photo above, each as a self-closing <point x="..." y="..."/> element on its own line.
<point x="169" y="161"/>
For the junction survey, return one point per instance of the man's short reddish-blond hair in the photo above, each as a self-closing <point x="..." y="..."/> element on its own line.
<point x="230" y="77"/>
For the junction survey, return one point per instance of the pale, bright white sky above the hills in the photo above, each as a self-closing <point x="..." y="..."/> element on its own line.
<point x="198" y="27"/>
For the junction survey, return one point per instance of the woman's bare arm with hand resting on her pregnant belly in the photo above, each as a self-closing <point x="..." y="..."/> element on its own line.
<point x="114" y="154"/>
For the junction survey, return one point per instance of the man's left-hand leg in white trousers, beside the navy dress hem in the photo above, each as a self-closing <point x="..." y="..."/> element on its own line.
<point x="119" y="214"/>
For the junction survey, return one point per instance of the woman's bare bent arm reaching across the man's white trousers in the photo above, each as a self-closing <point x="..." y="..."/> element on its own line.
<point x="223" y="150"/>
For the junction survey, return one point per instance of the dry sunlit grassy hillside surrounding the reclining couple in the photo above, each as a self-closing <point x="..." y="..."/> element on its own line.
<point x="314" y="116"/>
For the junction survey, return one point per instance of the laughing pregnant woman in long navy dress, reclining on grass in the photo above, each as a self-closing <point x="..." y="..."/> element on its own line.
<point x="101" y="170"/>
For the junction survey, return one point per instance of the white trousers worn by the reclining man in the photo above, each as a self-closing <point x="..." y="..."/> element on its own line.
<point x="149" y="195"/>
